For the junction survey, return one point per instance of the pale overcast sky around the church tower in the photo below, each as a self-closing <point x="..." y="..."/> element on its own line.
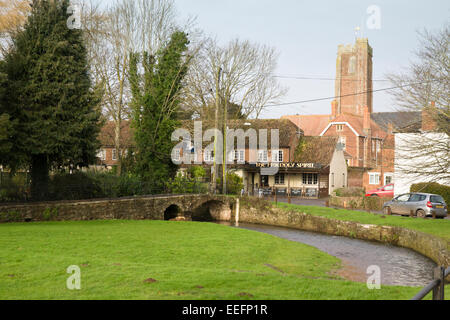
<point x="306" y="34"/>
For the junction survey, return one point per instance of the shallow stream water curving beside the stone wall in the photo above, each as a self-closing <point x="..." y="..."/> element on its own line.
<point x="399" y="266"/>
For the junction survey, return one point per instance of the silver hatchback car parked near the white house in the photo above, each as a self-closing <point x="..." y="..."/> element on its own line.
<point x="422" y="205"/>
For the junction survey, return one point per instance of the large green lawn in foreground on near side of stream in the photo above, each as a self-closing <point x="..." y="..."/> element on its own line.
<point x="187" y="260"/>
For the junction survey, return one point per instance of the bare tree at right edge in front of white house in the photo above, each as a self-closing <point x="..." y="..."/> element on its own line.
<point x="424" y="87"/>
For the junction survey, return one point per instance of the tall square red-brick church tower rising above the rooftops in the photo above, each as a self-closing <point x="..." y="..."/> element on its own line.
<point x="354" y="76"/>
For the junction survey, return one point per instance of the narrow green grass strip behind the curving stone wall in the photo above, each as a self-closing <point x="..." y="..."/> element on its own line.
<point x="439" y="228"/>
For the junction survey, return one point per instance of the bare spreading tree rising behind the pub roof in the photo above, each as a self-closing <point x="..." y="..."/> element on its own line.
<point x="246" y="80"/>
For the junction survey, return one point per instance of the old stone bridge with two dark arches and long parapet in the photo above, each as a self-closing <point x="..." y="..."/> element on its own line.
<point x="163" y="207"/>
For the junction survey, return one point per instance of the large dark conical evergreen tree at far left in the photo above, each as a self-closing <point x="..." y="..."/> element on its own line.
<point x="50" y="99"/>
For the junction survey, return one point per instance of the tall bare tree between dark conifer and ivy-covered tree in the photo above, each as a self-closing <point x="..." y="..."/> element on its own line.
<point x="125" y="27"/>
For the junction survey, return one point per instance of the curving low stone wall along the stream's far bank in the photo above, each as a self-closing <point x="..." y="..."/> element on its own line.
<point x="252" y="211"/>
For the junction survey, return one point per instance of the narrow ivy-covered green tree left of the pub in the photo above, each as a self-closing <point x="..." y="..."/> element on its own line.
<point x="155" y="106"/>
